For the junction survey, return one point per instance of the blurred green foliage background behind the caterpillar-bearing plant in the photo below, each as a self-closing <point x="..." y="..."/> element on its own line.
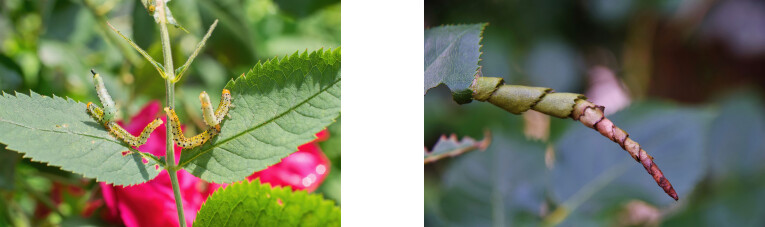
<point x="49" y="46"/>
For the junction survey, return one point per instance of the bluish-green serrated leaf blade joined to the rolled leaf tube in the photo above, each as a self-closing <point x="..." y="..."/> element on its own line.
<point x="452" y="53"/>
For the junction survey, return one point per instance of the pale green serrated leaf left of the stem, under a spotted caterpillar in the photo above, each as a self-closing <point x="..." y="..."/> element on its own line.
<point x="60" y="132"/>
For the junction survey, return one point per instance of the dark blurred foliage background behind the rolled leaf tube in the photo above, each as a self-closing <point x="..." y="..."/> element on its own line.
<point x="697" y="107"/>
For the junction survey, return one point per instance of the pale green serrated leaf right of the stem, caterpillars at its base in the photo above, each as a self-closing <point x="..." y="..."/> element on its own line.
<point x="279" y="105"/>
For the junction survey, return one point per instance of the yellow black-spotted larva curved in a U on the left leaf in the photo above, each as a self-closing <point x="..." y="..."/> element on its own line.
<point x="120" y="132"/>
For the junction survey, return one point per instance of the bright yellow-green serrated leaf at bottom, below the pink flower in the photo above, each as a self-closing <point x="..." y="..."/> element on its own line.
<point x="255" y="204"/>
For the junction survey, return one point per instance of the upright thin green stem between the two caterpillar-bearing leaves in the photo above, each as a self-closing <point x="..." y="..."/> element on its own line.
<point x="170" y="102"/>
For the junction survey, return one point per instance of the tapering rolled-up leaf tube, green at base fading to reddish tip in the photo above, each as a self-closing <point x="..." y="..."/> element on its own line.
<point x="517" y="99"/>
